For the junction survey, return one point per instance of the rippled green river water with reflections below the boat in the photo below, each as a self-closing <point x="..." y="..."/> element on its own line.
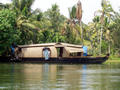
<point x="59" y="77"/>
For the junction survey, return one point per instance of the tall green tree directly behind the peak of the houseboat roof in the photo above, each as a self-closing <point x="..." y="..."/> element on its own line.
<point x="57" y="22"/>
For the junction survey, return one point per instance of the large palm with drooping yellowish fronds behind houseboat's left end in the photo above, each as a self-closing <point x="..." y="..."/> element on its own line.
<point x="25" y="21"/>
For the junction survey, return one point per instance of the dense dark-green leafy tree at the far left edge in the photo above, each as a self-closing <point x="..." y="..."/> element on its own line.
<point x="8" y="31"/>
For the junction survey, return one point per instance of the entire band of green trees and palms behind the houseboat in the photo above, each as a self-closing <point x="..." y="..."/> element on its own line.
<point x="20" y="24"/>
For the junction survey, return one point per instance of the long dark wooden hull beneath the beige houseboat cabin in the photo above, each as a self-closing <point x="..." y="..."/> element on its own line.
<point x="81" y="60"/>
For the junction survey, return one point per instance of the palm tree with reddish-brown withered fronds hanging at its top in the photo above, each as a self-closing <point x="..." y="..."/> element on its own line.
<point x="75" y="14"/>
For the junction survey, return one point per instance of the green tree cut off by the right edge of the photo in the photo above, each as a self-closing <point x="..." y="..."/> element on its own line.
<point x="115" y="34"/>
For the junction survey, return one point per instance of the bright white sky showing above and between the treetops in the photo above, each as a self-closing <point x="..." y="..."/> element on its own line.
<point x="88" y="6"/>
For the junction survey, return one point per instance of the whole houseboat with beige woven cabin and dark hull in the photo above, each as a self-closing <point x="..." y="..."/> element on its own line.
<point x="55" y="53"/>
